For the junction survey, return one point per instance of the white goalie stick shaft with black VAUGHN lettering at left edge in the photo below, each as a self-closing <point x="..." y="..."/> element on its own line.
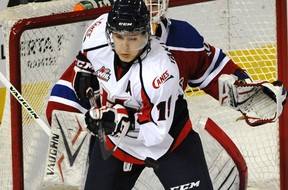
<point x="24" y="103"/>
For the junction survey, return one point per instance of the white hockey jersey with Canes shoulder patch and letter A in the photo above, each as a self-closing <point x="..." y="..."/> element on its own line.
<point x="149" y="89"/>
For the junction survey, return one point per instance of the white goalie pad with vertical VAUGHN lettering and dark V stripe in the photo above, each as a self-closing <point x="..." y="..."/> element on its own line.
<point x="67" y="156"/>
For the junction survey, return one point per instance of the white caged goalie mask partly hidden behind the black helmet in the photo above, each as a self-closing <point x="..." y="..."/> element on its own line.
<point x="158" y="9"/>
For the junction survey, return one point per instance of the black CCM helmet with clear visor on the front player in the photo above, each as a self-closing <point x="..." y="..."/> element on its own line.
<point x="129" y="17"/>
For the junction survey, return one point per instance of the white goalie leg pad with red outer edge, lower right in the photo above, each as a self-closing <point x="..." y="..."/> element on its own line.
<point x="227" y="167"/>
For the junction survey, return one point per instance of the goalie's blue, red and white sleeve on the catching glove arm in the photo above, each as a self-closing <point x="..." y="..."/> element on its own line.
<point x="200" y="63"/>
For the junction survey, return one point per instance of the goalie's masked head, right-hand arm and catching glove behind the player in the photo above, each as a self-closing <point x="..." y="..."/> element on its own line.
<point x="201" y="65"/>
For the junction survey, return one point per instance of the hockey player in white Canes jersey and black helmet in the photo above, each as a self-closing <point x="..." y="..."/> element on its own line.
<point x="139" y="88"/>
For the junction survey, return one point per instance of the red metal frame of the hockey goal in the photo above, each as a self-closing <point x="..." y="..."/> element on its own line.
<point x="71" y="17"/>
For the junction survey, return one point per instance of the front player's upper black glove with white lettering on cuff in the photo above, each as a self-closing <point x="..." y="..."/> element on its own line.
<point x="84" y="78"/>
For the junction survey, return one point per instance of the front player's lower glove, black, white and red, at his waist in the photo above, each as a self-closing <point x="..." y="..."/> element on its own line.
<point x="114" y="120"/>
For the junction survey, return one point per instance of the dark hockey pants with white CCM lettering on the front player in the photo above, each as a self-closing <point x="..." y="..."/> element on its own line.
<point x="184" y="168"/>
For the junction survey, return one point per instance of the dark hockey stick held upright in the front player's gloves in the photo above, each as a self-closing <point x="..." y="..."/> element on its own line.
<point x="106" y="153"/>
